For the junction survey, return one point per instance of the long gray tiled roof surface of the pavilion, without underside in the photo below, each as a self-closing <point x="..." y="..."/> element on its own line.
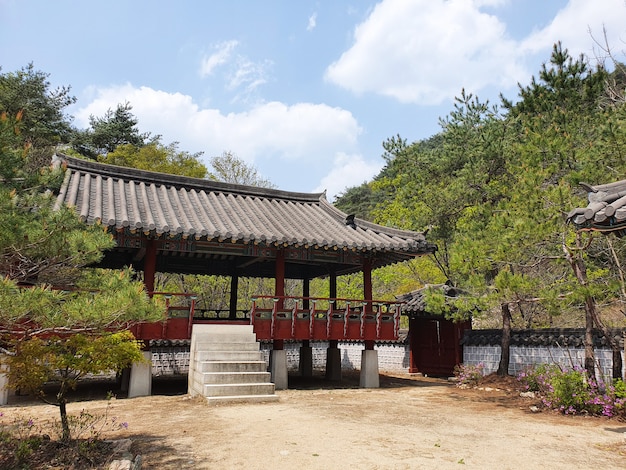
<point x="127" y="199"/>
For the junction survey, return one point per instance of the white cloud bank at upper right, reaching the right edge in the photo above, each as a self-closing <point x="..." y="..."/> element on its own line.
<point x="425" y="51"/>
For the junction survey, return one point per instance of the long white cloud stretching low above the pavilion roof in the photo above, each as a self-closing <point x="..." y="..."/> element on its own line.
<point x="296" y="142"/>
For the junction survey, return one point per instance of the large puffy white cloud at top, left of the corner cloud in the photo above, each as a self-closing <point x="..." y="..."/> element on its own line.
<point x="425" y="51"/>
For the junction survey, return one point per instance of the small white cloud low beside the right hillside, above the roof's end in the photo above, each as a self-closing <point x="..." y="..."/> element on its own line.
<point x="347" y="171"/>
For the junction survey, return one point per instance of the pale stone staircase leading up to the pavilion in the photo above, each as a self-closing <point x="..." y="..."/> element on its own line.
<point x="226" y="365"/>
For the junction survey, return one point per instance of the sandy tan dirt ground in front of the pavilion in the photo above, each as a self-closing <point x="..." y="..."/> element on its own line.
<point x="408" y="423"/>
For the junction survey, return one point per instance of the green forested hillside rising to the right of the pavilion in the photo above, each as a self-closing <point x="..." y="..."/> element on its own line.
<point x="493" y="187"/>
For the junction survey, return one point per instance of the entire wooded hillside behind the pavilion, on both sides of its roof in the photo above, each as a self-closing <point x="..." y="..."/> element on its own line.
<point x="491" y="189"/>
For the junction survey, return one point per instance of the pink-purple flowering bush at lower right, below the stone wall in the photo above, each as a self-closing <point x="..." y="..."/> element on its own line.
<point x="570" y="391"/>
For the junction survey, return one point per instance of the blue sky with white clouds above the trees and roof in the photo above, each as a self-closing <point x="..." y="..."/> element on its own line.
<point x="305" y="91"/>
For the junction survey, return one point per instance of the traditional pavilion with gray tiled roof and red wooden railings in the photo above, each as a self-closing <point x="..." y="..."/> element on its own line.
<point x="175" y="224"/>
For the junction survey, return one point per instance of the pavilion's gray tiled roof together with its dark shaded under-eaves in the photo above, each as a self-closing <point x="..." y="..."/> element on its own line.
<point x="235" y="226"/>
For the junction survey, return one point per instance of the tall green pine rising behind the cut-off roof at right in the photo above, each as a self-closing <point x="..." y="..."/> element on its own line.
<point x="564" y="125"/>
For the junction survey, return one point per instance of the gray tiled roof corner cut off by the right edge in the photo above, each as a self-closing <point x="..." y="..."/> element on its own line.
<point x="606" y="210"/>
